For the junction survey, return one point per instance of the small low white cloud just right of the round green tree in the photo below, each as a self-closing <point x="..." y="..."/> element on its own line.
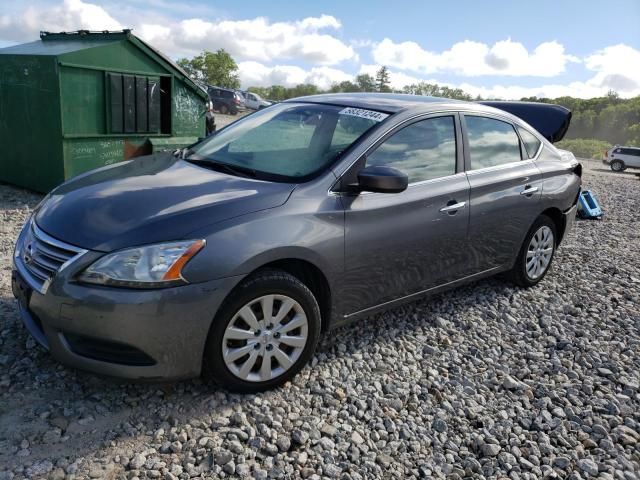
<point x="255" y="74"/>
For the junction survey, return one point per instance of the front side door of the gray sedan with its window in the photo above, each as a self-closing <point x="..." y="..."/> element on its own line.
<point x="403" y="243"/>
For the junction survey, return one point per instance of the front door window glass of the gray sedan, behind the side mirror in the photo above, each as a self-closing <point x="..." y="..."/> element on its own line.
<point x="423" y="150"/>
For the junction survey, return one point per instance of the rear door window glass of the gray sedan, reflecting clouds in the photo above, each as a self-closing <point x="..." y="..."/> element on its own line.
<point x="491" y="142"/>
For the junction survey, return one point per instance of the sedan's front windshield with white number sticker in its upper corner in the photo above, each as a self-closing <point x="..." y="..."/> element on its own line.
<point x="286" y="142"/>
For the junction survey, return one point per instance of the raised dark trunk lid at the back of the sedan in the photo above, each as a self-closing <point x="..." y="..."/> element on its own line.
<point x="552" y="121"/>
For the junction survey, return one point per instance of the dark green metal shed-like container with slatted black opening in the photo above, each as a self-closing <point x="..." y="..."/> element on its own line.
<point x="71" y="102"/>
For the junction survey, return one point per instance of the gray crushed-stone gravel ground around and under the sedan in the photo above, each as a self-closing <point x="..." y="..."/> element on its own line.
<point x="484" y="381"/>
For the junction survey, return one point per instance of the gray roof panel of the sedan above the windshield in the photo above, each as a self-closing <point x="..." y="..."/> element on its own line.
<point x="385" y="102"/>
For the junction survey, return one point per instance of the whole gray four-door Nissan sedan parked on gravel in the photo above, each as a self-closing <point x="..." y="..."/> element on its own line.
<point x="232" y="257"/>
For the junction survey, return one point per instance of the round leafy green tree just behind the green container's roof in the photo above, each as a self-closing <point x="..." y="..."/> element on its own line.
<point x="214" y="68"/>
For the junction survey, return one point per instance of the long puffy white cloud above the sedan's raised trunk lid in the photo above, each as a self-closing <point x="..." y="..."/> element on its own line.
<point x="471" y="58"/>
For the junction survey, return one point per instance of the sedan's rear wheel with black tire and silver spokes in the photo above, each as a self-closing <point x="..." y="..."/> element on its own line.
<point x="532" y="263"/>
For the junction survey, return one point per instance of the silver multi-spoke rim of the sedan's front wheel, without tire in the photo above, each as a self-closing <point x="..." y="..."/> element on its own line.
<point x="265" y="338"/>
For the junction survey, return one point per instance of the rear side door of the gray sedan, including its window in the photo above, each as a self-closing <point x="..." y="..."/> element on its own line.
<point x="506" y="188"/>
